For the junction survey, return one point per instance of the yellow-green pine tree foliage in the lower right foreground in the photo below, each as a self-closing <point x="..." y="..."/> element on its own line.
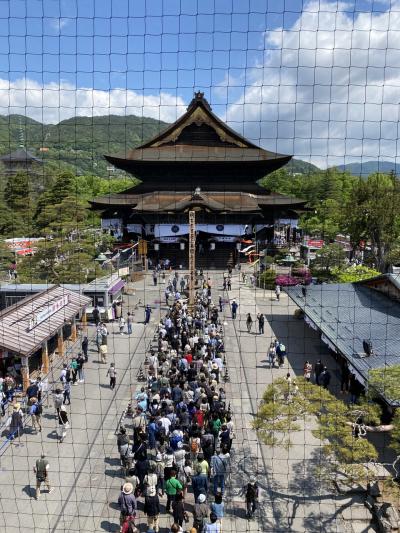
<point x="286" y="407"/>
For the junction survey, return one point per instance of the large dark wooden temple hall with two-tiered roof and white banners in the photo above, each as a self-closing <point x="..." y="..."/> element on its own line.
<point x="199" y="163"/>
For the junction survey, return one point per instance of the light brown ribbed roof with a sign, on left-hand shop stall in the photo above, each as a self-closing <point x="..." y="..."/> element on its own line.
<point x="19" y="334"/>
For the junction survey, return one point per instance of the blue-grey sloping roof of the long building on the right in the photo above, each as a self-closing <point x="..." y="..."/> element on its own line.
<point x="348" y="313"/>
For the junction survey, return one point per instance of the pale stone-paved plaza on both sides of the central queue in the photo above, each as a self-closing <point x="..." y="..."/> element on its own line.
<point x="85" y="468"/>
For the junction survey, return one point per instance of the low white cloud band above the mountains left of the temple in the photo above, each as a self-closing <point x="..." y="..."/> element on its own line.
<point x="54" y="102"/>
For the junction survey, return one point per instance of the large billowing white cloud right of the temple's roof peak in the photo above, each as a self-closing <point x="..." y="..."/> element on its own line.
<point x="329" y="89"/>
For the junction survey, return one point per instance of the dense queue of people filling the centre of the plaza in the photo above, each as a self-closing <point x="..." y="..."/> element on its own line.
<point x="181" y="435"/>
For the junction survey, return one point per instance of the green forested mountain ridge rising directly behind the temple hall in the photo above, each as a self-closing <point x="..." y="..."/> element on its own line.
<point x="80" y="143"/>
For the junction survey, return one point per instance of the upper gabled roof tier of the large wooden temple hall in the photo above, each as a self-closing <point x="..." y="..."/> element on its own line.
<point x="201" y="146"/>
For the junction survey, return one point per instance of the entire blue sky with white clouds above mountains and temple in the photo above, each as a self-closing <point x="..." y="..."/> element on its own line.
<point x="315" y="78"/>
